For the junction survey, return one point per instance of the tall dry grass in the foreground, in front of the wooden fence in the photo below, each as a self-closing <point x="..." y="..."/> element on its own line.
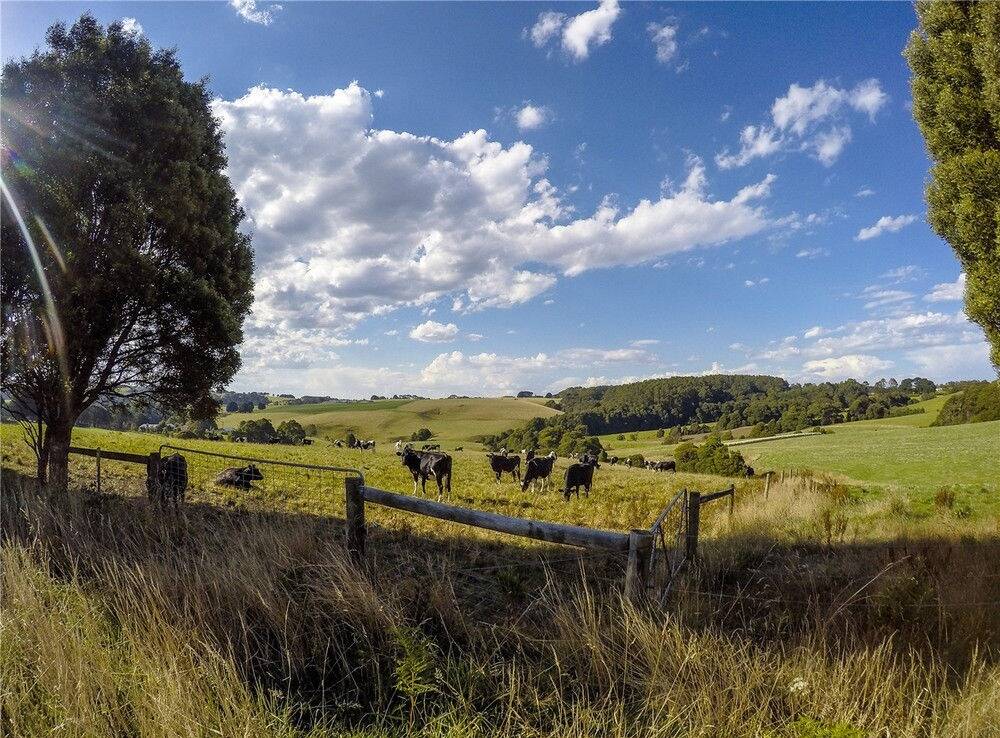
<point x="117" y="621"/>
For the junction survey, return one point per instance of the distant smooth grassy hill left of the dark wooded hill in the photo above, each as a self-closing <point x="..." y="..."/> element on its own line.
<point x="383" y="420"/>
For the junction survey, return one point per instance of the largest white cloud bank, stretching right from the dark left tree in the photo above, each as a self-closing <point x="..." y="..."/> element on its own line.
<point x="350" y="221"/>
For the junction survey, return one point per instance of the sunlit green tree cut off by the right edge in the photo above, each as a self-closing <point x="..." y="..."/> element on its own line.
<point x="955" y="59"/>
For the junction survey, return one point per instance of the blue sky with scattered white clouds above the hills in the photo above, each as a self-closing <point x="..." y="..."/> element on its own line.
<point x="480" y="198"/>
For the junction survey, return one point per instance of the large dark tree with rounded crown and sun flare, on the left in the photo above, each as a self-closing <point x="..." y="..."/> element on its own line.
<point x="124" y="270"/>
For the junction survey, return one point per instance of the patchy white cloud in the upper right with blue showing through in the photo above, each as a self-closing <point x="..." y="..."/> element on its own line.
<point x="810" y="119"/>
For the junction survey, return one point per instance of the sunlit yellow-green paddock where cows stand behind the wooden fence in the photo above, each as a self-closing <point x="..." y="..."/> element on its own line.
<point x="622" y="498"/>
